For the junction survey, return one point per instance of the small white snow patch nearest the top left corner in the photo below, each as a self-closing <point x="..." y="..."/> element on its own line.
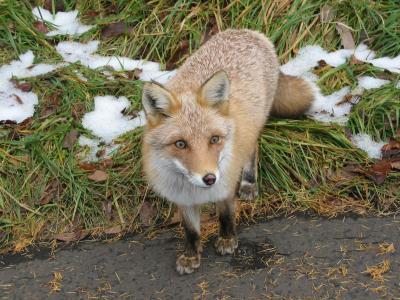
<point x="66" y="23"/>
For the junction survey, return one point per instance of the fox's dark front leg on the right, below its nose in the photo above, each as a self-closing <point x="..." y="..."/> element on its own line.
<point x="227" y="241"/>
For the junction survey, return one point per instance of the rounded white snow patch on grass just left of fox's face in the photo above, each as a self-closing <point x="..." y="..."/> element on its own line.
<point x="107" y="121"/>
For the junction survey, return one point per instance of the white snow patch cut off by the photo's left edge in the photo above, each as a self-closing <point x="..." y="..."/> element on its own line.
<point x="15" y="104"/>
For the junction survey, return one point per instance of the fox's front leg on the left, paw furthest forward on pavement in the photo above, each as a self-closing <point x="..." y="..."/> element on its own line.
<point x="190" y="259"/>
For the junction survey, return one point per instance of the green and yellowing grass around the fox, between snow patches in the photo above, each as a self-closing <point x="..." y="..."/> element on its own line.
<point x="298" y="157"/>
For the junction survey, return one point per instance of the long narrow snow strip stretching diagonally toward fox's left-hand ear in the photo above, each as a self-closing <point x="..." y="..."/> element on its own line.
<point x="84" y="53"/>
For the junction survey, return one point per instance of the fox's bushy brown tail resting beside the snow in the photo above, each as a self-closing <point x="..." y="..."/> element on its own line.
<point x="293" y="97"/>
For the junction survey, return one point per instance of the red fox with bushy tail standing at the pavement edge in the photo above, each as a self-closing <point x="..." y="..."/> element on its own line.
<point x="200" y="141"/>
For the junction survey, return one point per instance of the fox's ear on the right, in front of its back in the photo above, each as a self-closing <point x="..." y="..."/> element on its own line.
<point x="215" y="90"/>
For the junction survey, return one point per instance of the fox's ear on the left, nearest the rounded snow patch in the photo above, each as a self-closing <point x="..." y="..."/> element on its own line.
<point x="156" y="99"/>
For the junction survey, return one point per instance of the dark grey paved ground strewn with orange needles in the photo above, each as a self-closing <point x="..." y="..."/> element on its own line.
<point x="286" y="258"/>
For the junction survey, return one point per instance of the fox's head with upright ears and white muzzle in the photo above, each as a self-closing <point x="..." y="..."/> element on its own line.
<point x="189" y="133"/>
